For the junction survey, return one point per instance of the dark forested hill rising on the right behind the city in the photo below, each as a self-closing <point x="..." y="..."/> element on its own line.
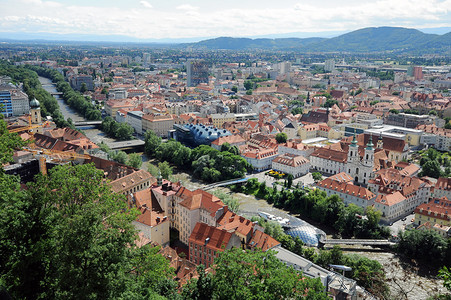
<point x="373" y="39"/>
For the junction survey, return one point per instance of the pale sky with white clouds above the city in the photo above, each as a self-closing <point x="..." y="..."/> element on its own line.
<point x="162" y="19"/>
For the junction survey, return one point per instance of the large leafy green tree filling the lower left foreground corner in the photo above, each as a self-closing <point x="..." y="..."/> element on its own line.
<point x="72" y="235"/>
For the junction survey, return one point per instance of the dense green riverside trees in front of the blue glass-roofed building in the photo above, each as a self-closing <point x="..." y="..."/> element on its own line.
<point x="204" y="161"/>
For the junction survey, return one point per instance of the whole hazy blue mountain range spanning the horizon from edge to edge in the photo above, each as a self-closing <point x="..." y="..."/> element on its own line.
<point x="372" y="39"/>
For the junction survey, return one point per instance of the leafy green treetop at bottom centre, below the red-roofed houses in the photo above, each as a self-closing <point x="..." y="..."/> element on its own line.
<point x="260" y="275"/>
